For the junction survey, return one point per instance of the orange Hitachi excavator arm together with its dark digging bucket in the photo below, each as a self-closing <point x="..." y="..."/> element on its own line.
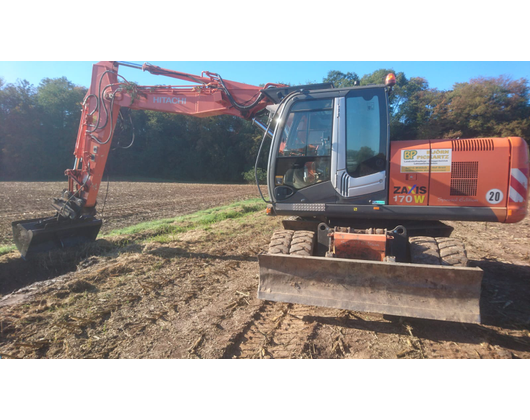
<point x="75" y="220"/>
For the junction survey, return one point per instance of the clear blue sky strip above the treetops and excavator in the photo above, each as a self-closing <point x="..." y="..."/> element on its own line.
<point x="440" y="74"/>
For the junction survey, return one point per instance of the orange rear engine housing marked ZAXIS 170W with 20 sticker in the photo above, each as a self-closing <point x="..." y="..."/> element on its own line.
<point x="490" y="172"/>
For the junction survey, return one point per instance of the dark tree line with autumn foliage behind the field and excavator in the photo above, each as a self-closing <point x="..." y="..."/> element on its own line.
<point x="38" y="128"/>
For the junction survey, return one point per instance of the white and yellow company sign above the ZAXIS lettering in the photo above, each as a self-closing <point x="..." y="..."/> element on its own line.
<point x="418" y="160"/>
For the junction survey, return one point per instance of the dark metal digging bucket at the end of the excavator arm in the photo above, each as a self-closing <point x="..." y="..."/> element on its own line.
<point x="42" y="235"/>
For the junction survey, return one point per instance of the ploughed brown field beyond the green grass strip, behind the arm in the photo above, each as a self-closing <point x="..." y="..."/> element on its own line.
<point x="127" y="203"/>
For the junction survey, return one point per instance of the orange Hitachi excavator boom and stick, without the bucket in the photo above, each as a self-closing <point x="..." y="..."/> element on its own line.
<point x="211" y="96"/>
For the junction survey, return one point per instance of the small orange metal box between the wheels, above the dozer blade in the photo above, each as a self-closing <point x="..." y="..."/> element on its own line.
<point x="359" y="246"/>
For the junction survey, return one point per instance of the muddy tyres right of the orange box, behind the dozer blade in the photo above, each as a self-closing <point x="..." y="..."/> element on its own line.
<point x="438" y="251"/>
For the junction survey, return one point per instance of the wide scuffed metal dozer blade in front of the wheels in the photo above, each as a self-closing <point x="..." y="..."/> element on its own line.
<point x="413" y="290"/>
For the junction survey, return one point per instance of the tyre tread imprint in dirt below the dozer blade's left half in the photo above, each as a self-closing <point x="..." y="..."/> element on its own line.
<point x="276" y="331"/>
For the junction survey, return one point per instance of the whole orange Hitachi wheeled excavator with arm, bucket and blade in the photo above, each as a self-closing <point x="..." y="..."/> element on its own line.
<point x="364" y="229"/>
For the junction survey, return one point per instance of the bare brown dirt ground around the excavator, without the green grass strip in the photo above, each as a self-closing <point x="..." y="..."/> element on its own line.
<point x="195" y="295"/>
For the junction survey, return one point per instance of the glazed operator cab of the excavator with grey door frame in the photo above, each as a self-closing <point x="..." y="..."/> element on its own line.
<point x="330" y="146"/>
